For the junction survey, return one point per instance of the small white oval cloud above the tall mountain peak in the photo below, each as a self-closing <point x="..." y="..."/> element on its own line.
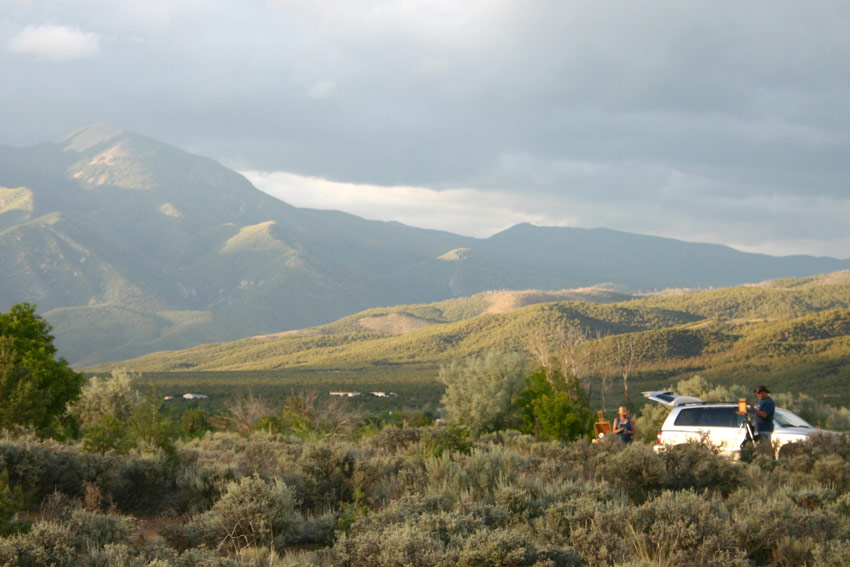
<point x="56" y="43"/>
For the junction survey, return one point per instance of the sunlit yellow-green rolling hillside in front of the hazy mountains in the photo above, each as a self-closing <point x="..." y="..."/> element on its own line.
<point x="794" y="334"/>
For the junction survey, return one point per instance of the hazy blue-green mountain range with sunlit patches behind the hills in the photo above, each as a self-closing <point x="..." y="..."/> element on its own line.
<point x="130" y="246"/>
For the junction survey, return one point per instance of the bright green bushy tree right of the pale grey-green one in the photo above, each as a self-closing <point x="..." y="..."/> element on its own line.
<point x="550" y="403"/>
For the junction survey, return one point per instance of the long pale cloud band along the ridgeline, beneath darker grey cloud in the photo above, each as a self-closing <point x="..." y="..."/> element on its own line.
<point x="778" y="225"/>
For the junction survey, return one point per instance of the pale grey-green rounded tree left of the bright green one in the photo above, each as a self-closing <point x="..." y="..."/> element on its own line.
<point x="481" y="392"/>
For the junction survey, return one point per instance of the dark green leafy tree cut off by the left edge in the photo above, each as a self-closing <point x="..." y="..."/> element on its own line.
<point x="35" y="386"/>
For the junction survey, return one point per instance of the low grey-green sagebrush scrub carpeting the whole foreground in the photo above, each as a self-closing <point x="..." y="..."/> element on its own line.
<point x="420" y="496"/>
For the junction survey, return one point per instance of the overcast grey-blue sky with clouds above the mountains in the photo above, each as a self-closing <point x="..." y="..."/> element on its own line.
<point x="724" y="122"/>
